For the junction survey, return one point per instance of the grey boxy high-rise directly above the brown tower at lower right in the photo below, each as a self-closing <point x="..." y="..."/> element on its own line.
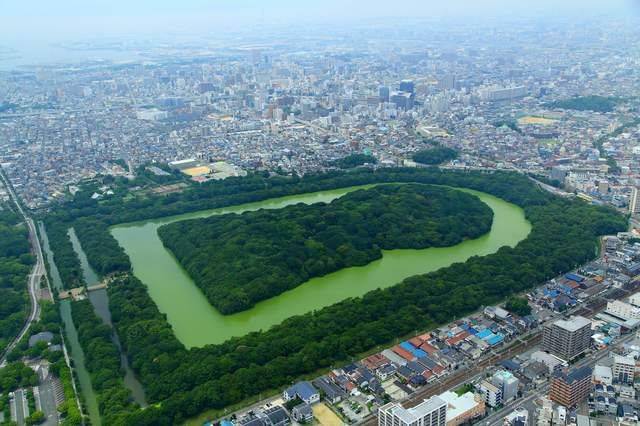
<point x="567" y="339"/>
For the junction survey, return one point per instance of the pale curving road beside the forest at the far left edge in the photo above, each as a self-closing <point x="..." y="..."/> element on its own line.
<point x="36" y="275"/>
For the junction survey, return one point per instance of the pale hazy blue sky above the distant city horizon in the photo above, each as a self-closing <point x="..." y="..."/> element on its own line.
<point x="69" y="19"/>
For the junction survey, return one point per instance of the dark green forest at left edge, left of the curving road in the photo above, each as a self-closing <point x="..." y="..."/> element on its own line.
<point x="15" y="265"/>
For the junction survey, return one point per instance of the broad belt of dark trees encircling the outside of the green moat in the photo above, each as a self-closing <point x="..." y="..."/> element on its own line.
<point x="182" y="383"/>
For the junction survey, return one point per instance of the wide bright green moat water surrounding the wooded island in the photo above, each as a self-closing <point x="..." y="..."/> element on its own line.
<point x="196" y="323"/>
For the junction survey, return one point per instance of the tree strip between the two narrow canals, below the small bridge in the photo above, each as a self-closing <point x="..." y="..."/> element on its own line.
<point x="102" y="359"/>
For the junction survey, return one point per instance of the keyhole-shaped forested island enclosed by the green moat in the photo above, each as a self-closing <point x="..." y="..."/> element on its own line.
<point x="239" y="260"/>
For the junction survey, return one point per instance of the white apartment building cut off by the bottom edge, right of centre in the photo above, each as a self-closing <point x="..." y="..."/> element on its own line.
<point x="431" y="412"/>
